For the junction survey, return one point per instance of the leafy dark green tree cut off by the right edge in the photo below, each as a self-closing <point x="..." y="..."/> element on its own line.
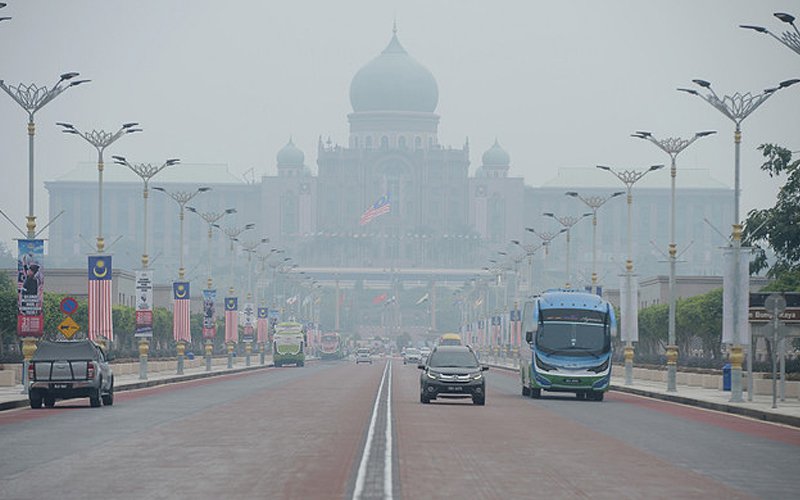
<point x="778" y="228"/>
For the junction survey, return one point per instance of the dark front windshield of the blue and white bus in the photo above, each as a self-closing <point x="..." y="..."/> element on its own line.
<point x="573" y="339"/>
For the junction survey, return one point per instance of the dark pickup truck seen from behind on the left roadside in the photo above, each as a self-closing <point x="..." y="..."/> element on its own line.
<point x="67" y="370"/>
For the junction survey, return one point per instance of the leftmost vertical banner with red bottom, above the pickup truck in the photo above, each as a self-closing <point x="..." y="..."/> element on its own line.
<point x="30" y="287"/>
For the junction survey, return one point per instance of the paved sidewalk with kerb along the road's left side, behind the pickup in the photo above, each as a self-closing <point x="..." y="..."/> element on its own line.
<point x="126" y="376"/>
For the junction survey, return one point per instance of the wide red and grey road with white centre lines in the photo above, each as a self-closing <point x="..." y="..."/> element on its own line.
<point x="337" y="430"/>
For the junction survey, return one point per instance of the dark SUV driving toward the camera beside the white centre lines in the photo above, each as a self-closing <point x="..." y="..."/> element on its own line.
<point x="452" y="371"/>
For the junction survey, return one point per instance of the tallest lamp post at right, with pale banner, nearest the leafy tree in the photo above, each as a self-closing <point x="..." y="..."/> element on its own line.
<point x="736" y="107"/>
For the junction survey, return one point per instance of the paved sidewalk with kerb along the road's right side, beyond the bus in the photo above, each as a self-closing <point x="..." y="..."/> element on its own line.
<point x="760" y="408"/>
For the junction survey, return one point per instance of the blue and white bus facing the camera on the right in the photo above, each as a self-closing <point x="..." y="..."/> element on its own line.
<point x="569" y="337"/>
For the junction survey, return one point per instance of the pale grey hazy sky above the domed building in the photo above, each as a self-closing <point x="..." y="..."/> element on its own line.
<point x="559" y="83"/>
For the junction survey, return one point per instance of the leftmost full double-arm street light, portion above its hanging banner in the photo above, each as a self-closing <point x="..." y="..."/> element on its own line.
<point x="32" y="99"/>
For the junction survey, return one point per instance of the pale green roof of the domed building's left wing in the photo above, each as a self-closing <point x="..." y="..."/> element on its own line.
<point x="195" y="173"/>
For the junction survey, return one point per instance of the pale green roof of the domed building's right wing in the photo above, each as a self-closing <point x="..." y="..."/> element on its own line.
<point x="589" y="177"/>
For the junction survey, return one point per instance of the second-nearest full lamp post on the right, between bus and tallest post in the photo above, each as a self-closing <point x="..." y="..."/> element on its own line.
<point x="673" y="147"/>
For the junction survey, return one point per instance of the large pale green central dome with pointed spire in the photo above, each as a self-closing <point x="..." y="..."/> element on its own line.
<point x="394" y="81"/>
